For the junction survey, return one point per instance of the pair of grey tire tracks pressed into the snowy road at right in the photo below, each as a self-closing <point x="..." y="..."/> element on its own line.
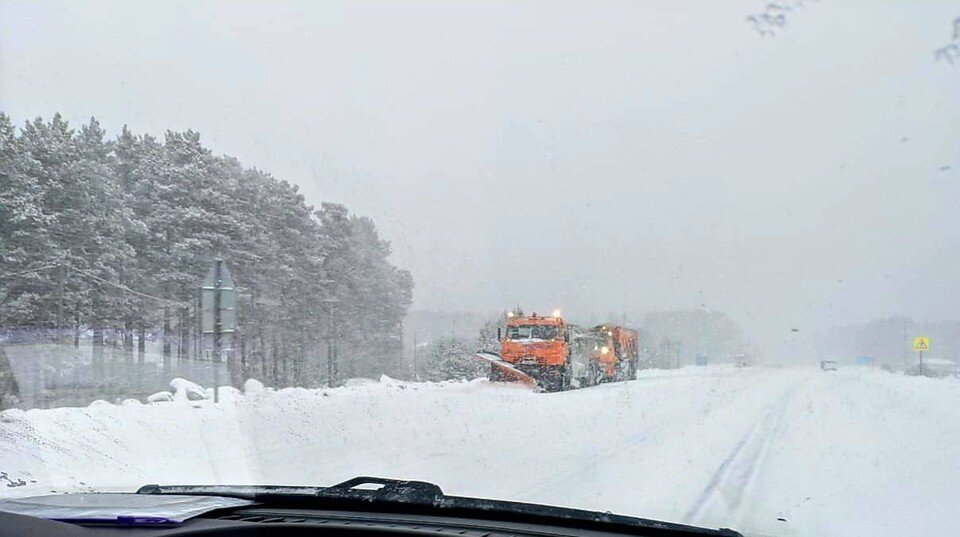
<point x="732" y="482"/>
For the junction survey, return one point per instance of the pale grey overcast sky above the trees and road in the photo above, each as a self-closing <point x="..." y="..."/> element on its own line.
<point x="601" y="157"/>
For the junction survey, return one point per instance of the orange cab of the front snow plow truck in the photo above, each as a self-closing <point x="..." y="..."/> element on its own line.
<point x="524" y="349"/>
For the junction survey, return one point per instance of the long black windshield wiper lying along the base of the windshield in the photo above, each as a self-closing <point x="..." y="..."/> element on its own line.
<point x="422" y="498"/>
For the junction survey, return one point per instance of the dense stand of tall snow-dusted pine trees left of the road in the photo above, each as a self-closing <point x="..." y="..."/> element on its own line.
<point x="134" y="213"/>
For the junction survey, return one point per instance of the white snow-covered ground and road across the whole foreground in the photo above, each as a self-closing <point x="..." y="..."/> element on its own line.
<point x="771" y="451"/>
